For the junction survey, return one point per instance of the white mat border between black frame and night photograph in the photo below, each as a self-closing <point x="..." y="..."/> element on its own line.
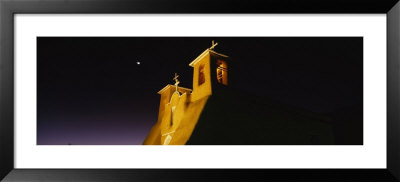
<point x="371" y="155"/>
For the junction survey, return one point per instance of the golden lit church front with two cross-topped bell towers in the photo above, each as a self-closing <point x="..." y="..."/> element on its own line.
<point x="180" y="108"/>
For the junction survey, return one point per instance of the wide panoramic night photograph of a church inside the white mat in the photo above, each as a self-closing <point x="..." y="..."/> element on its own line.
<point x="199" y="91"/>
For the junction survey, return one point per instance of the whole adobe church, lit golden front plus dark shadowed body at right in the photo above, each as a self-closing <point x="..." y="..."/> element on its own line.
<point x="212" y="113"/>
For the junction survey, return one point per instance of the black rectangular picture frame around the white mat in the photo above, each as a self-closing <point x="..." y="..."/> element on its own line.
<point x="8" y="8"/>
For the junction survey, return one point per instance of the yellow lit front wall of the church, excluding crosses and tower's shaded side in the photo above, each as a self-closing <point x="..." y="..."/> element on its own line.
<point x="179" y="112"/>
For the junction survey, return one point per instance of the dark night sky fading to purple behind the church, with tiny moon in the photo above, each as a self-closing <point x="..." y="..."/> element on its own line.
<point x="92" y="91"/>
